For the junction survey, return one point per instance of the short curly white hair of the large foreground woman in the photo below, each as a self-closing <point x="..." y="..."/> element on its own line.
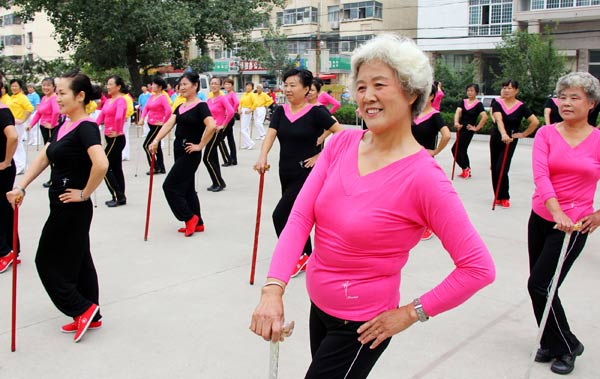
<point x="401" y="54"/>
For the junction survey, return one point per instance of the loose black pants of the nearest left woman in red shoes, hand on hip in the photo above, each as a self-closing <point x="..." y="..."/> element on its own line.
<point x="64" y="260"/>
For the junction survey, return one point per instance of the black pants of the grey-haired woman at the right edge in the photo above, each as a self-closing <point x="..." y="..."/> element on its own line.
<point x="544" y="243"/>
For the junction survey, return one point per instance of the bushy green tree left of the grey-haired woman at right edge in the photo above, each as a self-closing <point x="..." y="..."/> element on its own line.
<point x="534" y="62"/>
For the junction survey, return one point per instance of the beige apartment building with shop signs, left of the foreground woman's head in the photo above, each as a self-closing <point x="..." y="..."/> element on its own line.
<point x="321" y="35"/>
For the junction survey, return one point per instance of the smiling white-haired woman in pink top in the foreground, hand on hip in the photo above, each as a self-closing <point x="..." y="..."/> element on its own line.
<point x="371" y="195"/>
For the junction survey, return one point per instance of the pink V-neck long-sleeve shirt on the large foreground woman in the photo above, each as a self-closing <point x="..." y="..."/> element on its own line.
<point x="366" y="226"/>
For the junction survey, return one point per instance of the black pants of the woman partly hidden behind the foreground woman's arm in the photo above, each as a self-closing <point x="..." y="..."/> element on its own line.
<point x="290" y="188"/>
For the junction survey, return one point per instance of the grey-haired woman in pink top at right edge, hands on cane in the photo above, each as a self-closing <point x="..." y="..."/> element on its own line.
<point x="566" y="170"/>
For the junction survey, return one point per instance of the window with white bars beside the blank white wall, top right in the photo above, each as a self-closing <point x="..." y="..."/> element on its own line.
<point x="490" y="17"/>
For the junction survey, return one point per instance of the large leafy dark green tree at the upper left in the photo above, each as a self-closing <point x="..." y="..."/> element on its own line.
<point x="109" y="34"/>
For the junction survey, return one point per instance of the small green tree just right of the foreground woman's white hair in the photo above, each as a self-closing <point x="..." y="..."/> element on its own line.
<point x="454" y="83"/>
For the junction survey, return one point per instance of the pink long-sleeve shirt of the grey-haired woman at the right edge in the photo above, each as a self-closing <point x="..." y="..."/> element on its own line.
<point x="569" y="174"/>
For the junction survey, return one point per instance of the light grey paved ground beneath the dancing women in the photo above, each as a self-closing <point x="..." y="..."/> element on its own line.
<point x="180" y="307"/>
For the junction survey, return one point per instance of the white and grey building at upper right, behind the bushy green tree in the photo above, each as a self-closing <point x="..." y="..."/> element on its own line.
<point x="458" y="32"/>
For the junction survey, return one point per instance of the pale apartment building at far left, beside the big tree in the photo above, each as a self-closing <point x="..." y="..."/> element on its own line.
<point x="22" y="40"/>
